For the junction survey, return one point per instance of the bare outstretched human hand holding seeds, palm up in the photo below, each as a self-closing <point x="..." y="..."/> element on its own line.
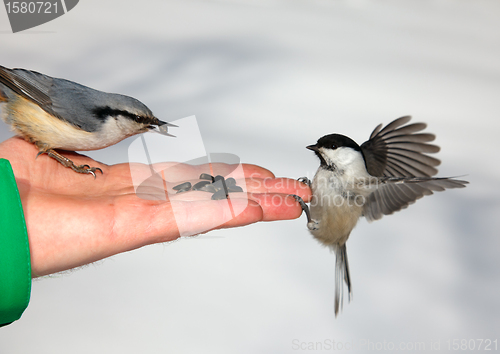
<point x="73" y="219"/>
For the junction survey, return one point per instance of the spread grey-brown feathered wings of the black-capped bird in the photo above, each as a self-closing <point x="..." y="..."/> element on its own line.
<point x="398" y="153"/>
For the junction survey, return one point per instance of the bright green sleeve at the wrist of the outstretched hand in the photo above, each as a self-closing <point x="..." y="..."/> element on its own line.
<point x="15" y="264"/>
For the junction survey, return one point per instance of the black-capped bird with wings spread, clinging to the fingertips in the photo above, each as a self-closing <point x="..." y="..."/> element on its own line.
<point x="385" y="174"/>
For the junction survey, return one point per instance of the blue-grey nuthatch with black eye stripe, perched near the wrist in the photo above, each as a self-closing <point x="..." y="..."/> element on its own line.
<point x="60" y="114"/>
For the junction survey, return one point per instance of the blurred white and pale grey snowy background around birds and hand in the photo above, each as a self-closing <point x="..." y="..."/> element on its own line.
<point x="265" y="79"/>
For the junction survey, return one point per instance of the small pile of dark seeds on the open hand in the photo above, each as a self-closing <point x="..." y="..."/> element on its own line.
<point x="218" y="186"/>
